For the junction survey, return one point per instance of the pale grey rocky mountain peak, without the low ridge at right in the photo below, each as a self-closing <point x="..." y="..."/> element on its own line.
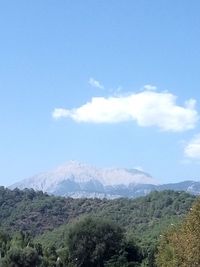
<point x="78" y="179"/>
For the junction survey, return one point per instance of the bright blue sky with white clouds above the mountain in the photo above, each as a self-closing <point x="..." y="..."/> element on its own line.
<point x="108" y="83"/>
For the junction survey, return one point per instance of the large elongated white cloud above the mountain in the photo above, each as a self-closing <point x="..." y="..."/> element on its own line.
<point x="146" y="108"/>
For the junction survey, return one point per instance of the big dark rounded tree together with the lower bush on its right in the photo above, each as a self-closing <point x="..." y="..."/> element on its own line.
<point x="97" y="242"/>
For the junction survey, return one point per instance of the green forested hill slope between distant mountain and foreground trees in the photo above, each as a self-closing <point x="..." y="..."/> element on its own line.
<point x="37" y="212"/>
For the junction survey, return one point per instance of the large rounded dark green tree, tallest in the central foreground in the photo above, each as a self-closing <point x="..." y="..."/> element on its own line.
<point x="93" y="241"/>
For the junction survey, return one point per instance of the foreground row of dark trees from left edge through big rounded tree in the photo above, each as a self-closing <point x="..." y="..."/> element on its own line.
<point x="90" y="242"/>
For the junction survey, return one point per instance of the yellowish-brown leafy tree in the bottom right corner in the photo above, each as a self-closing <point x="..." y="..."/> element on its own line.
<point x="181" y="246"/>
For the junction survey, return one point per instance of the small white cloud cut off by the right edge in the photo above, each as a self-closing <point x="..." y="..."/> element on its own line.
<point x="192" y="148"/>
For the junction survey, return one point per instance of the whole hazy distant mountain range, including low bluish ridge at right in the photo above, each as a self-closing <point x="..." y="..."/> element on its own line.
<point x="75" y="179"/>
